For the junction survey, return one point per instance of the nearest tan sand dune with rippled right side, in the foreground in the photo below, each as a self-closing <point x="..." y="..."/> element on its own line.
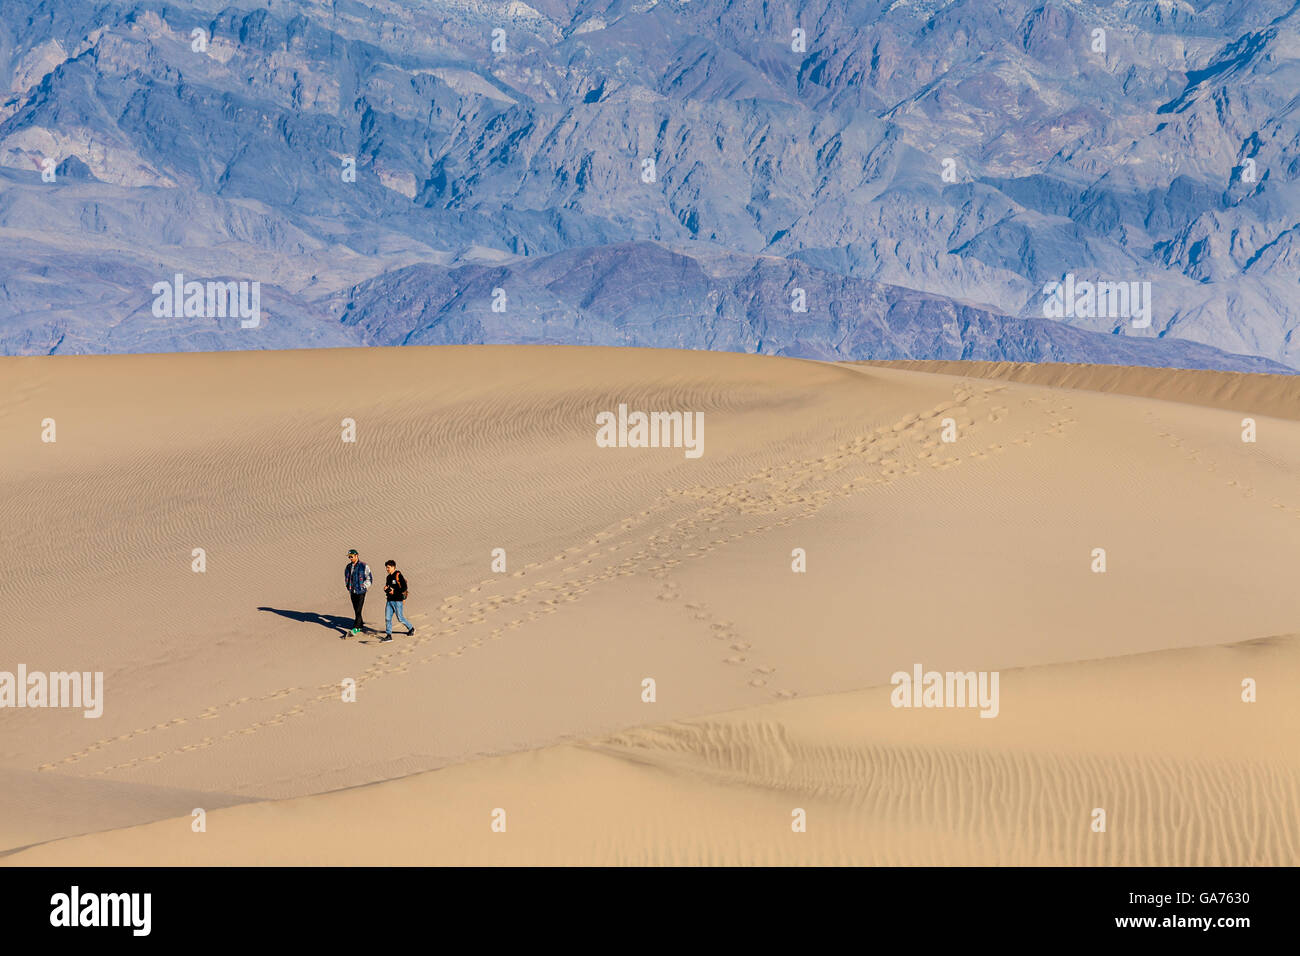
<point x="1186" y="772"/>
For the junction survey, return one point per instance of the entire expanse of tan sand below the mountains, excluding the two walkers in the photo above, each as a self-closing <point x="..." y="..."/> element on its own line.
<point x="632" y="564"/>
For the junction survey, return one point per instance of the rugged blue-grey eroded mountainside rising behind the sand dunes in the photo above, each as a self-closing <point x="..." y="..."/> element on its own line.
<point x="657" y="174"/>
